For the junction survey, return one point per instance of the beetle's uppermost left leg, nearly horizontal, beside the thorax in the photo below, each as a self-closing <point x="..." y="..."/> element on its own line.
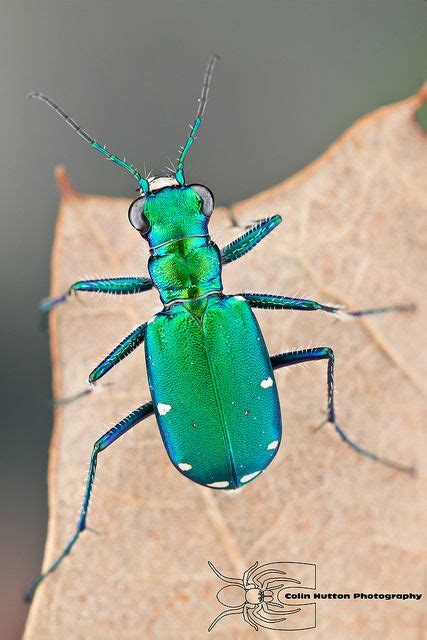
<point x="118" y="286"/>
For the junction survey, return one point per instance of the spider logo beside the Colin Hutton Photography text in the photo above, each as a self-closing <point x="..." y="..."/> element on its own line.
<point x="256" y="596"/>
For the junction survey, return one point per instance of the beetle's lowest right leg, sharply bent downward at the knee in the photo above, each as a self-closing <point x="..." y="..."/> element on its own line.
<point x="325" y="353"/>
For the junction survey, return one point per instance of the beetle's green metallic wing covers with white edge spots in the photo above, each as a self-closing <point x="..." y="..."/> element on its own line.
<point x="213" y="390"/>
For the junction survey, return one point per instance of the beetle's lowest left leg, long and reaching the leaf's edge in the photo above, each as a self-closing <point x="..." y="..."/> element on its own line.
<point x="108" y="438"/>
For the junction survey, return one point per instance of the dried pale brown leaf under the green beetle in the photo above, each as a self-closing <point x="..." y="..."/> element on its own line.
<point x="354" y="233"/>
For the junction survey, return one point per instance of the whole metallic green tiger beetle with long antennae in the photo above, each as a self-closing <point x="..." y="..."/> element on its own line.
<point x="195" y="344"/>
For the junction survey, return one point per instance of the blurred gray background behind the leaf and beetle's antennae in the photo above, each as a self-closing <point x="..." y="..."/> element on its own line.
<point x="293" y="75"/>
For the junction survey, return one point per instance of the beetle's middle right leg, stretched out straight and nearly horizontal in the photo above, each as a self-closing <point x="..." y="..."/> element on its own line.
<point x="266" y="301"/>
